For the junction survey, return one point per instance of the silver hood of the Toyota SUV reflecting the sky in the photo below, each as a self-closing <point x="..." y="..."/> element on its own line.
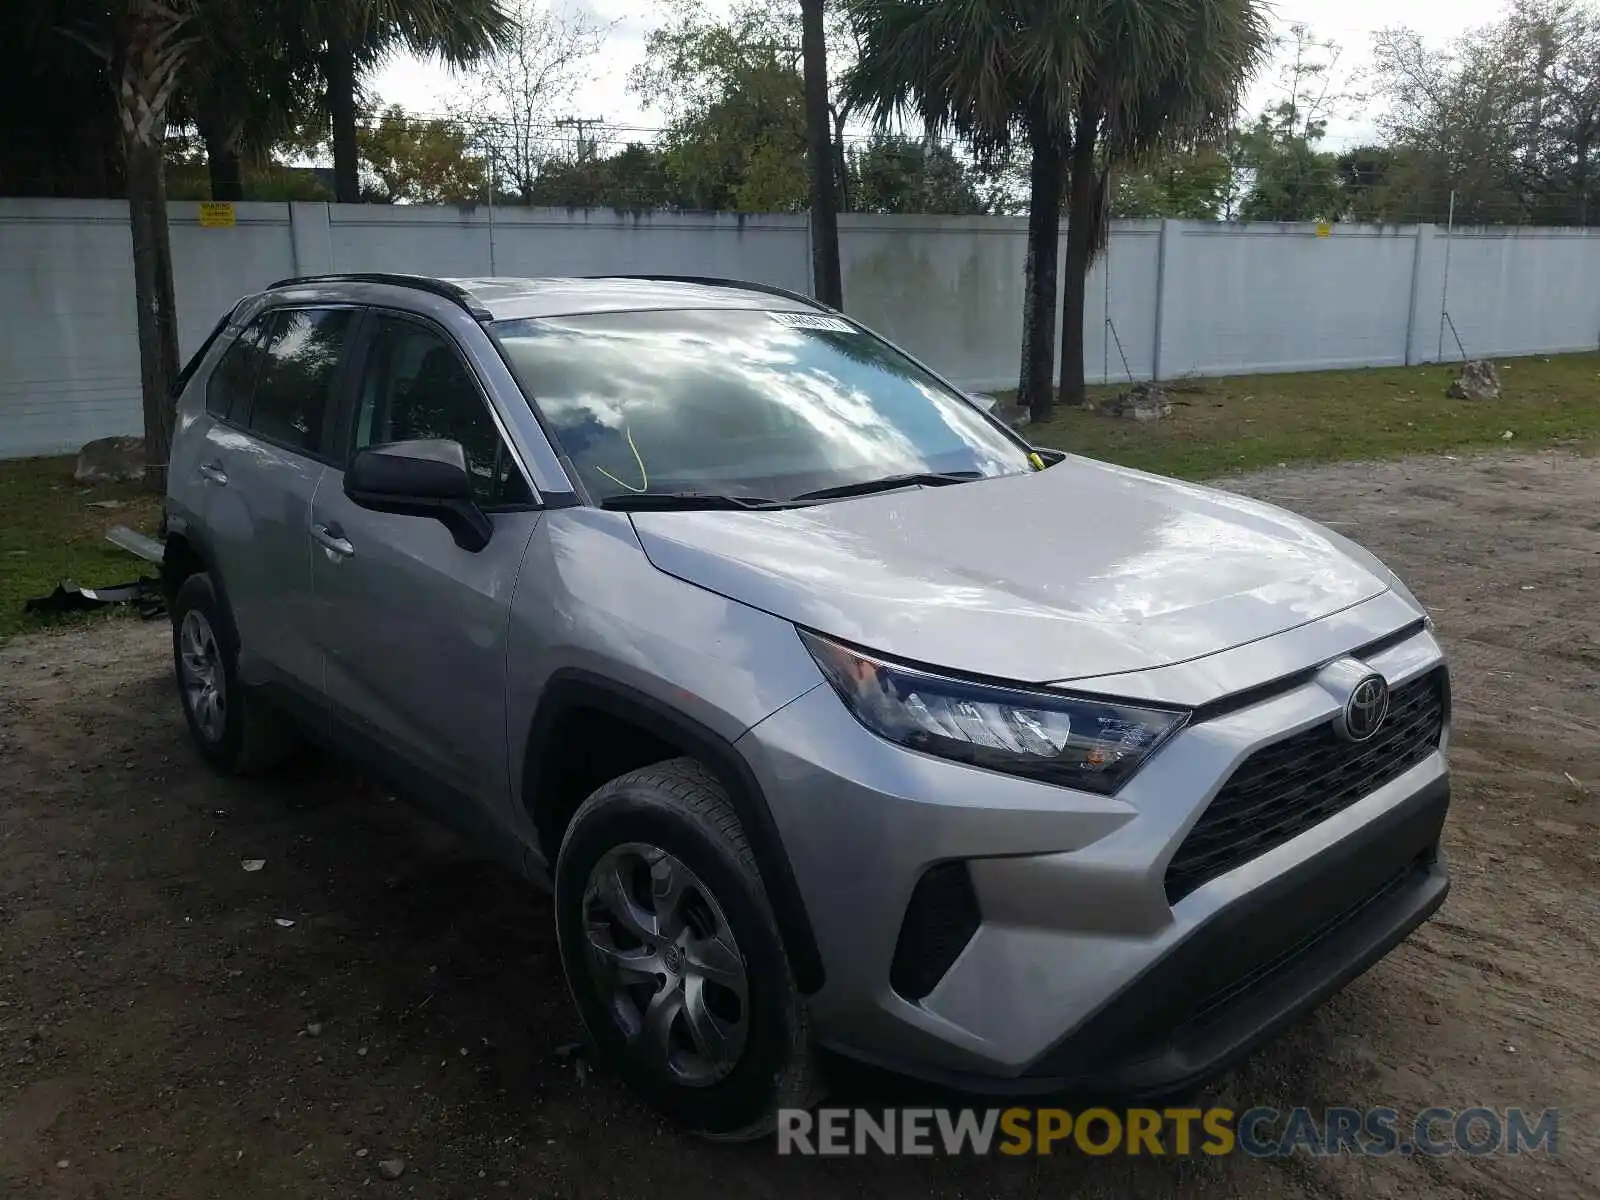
<point x="1068" y="574"/>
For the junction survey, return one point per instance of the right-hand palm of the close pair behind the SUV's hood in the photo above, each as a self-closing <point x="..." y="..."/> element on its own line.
<point x="1158" y="74"/>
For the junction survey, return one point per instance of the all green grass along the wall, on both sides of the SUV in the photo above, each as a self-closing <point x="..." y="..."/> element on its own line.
<point x="50" y="529"/>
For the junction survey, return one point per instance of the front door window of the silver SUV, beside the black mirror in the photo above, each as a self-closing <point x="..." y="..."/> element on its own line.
<point x="415" y="386"/>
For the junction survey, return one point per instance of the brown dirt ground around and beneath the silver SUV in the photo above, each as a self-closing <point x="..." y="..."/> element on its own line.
<point x="167" y="1033"/>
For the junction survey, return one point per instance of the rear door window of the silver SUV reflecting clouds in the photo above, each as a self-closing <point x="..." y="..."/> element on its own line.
<point x="300" y="354"/>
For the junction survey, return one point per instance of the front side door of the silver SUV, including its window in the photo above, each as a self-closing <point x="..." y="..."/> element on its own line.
<point x="414" y="626"/>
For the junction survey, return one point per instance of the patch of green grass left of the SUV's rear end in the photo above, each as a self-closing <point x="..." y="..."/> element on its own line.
<point x="52" y="530"/>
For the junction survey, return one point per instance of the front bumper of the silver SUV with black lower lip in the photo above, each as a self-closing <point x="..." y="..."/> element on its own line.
<point x="1082" y="977"/>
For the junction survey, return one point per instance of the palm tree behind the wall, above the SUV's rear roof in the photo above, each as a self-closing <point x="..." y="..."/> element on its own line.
<point x="358" y="34"/>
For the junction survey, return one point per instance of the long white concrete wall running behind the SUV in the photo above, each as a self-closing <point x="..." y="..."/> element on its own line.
<point x="1185" y="298"/>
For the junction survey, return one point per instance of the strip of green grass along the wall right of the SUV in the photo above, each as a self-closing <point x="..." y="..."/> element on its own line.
<point x="1246" y="423"/>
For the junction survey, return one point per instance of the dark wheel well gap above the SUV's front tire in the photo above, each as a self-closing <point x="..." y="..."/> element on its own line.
<point x="583" y="750"/>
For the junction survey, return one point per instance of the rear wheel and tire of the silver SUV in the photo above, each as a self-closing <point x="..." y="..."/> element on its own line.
<point x="233" y="729"/>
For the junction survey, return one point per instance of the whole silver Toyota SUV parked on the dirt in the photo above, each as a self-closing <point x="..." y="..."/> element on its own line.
<point x="838" y="718"/>
